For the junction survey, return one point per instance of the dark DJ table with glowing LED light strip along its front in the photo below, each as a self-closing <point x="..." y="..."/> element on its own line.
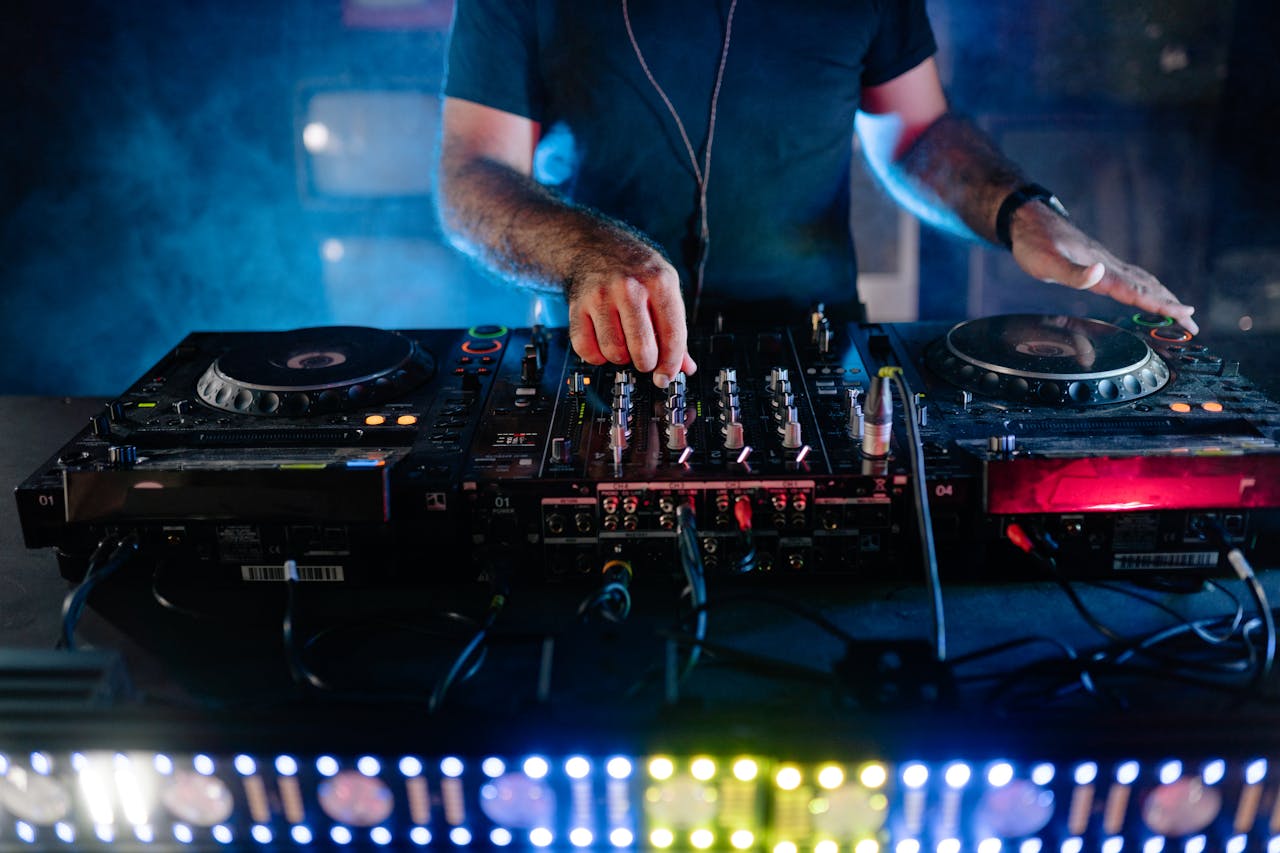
<point x="816" y="719"/>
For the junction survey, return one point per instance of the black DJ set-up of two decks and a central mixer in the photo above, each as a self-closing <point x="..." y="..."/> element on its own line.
<point x="364" y="455"/>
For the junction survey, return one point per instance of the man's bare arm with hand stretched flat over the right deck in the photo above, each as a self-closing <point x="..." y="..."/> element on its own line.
<point x="952" y="175"/>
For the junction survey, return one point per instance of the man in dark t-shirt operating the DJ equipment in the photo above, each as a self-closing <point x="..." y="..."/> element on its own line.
<point x="714" y="138"/>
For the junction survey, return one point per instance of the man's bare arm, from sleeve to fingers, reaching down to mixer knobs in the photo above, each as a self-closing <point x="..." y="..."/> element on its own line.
<point x="624" y="297"/>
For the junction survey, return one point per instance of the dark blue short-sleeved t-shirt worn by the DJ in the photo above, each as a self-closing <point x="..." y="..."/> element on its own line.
<point x="779" y="180"/>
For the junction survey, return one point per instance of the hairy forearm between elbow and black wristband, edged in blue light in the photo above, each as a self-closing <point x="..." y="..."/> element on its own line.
<point x="953" y="176"/>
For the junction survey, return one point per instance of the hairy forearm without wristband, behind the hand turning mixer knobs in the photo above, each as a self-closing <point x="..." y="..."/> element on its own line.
<point x="528" y="234"/>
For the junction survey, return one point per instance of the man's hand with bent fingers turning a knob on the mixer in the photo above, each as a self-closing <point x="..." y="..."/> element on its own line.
<point x="625" y="308"/>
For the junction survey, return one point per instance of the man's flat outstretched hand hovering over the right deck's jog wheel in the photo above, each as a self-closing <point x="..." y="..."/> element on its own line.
<point x="1053" y="249"/>
